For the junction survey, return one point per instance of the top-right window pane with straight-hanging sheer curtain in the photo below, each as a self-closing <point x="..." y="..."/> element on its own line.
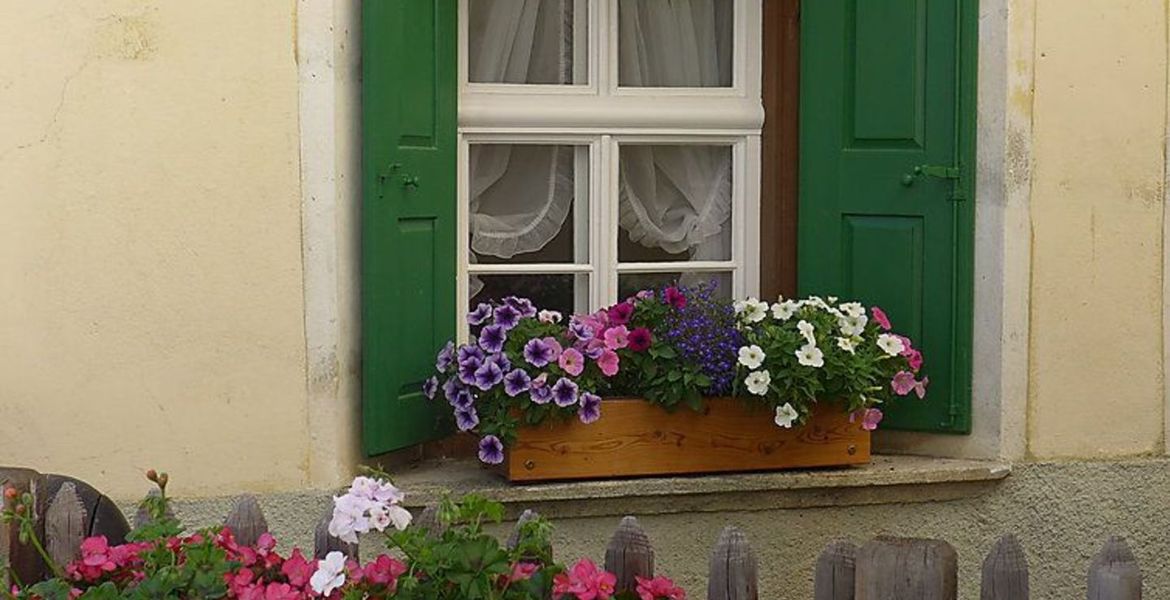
<point x="676" y="44"/>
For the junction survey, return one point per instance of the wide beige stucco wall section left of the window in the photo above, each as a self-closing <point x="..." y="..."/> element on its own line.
<point x="152" y="307"/>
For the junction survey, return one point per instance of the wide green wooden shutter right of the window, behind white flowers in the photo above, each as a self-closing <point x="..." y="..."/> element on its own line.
<point x="887" y="86"/>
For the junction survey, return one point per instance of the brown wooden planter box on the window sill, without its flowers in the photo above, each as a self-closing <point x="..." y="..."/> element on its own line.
<point x="636" y="438"/>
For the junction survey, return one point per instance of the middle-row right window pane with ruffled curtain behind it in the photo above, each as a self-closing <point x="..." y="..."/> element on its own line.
<point x="676" y="204"/>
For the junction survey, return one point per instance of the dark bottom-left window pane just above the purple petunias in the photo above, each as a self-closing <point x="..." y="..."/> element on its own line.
<point x="568" y="294"/>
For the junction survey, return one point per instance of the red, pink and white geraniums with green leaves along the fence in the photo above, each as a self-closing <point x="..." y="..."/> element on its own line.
<point x="458" y="562"/>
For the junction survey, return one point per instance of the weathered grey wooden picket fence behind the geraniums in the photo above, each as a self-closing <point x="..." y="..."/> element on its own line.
<point x="883" y="569"/>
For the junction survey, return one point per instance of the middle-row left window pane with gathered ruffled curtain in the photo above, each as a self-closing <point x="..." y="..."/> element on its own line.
<point x="529" y="204"/>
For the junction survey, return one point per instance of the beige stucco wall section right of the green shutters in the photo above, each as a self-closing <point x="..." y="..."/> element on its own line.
<point x="1099" y="120"/>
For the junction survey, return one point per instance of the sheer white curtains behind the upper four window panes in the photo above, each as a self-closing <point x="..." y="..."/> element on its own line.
<point x="675" y="198"/>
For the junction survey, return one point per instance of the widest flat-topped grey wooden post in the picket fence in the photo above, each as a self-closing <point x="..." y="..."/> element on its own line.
<point x="900" y="569"/>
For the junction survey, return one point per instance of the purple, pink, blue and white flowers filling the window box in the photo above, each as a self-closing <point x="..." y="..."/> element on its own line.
<point x="671" y="347"/>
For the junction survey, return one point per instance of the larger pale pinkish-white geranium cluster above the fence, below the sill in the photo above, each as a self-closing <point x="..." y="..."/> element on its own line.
<point x="369" y="505"/>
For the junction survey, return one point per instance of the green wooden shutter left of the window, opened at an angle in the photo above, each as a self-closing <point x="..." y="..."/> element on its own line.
<point x="409" y="94"/>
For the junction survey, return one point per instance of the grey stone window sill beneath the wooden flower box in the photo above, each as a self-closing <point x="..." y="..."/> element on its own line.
<point x="889" y="479"/>
